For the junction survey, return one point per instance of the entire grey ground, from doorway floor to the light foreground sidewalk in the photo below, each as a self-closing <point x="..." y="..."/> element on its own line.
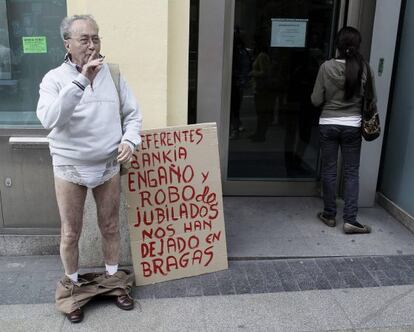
<point x="288" y="273"/>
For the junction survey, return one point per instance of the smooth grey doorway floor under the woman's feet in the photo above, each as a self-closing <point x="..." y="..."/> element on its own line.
<point x="285" y="227"/>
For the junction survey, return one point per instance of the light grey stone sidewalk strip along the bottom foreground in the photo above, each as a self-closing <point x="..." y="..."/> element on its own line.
<point x="372" y="309"/>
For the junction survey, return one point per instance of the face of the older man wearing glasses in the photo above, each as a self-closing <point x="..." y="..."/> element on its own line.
<point x="83" y="41"/>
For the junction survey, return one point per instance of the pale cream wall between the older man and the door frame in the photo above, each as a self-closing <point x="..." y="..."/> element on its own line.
<point x="149" y="40"/>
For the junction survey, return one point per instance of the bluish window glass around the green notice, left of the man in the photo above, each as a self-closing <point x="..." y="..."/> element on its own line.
<point x="20" y="78"/>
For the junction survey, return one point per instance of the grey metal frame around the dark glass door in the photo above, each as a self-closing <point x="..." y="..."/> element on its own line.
<point x="215" y="43"/>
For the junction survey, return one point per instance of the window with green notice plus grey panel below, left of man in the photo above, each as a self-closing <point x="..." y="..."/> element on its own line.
<point x="30" y="46"/>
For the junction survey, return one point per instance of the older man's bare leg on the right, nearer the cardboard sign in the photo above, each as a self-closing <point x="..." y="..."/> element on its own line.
<point x="107" y="204"/>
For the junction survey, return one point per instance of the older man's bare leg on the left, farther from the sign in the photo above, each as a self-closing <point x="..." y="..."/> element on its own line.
<point x="71" y="201"/>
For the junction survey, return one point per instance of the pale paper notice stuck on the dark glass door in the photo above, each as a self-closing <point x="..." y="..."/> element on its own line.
<point x="288" y="32"/>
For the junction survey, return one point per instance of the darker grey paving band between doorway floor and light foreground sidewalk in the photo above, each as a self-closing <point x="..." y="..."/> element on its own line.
<point x="25" y="279"/>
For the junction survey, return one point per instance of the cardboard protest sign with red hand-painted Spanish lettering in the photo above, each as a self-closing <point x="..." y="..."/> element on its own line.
<point x="175" y="207"/>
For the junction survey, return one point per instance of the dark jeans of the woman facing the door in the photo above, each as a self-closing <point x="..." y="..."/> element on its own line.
<point x="349" y="140"/>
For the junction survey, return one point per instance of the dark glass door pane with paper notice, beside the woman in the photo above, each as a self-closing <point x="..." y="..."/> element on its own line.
<point x="278" y="46"/>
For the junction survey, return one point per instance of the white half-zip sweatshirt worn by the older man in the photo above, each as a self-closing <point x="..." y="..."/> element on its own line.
<point x="85" y="119"/>
